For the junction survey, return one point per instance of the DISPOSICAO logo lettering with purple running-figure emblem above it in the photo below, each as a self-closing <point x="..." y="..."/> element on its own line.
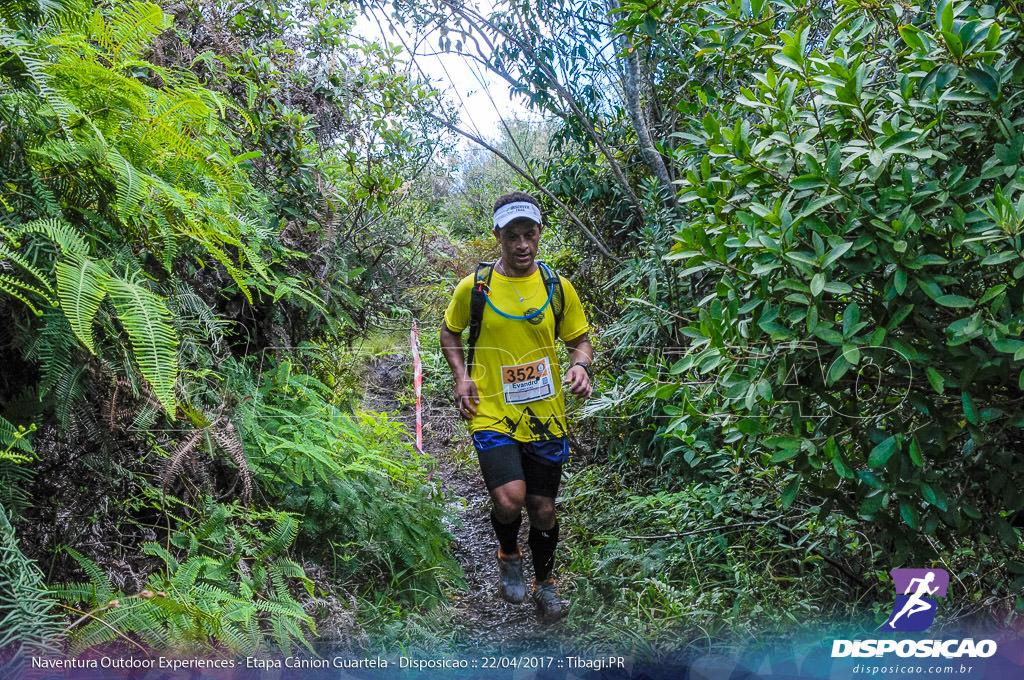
<point x="913" y="612"/>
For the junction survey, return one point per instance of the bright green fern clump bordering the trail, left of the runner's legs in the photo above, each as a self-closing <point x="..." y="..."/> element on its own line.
<point x="359" y="488"/>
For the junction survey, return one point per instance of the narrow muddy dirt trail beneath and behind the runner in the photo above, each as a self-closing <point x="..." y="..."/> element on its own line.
<point x="483" y="620"/>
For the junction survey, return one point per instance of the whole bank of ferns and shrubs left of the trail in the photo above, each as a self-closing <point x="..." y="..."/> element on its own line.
<point x="185" y="202"/>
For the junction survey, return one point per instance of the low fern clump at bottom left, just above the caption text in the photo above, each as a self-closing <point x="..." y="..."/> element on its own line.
<point x="224" y="586"/>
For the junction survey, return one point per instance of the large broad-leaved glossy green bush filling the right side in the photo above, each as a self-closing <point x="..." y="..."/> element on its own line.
<point x="852" y="210"/>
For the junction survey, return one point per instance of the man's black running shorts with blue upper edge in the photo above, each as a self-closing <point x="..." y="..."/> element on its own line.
<point x="537" y="463"/>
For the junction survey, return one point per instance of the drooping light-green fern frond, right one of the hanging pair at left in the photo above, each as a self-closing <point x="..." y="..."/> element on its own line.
<point x="149" y="324"/>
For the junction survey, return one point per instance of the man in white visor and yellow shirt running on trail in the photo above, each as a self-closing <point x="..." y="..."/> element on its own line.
<point x="509" y="390"/>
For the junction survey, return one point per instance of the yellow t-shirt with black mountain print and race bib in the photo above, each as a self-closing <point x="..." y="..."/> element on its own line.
<point x="516" y="366"/>
